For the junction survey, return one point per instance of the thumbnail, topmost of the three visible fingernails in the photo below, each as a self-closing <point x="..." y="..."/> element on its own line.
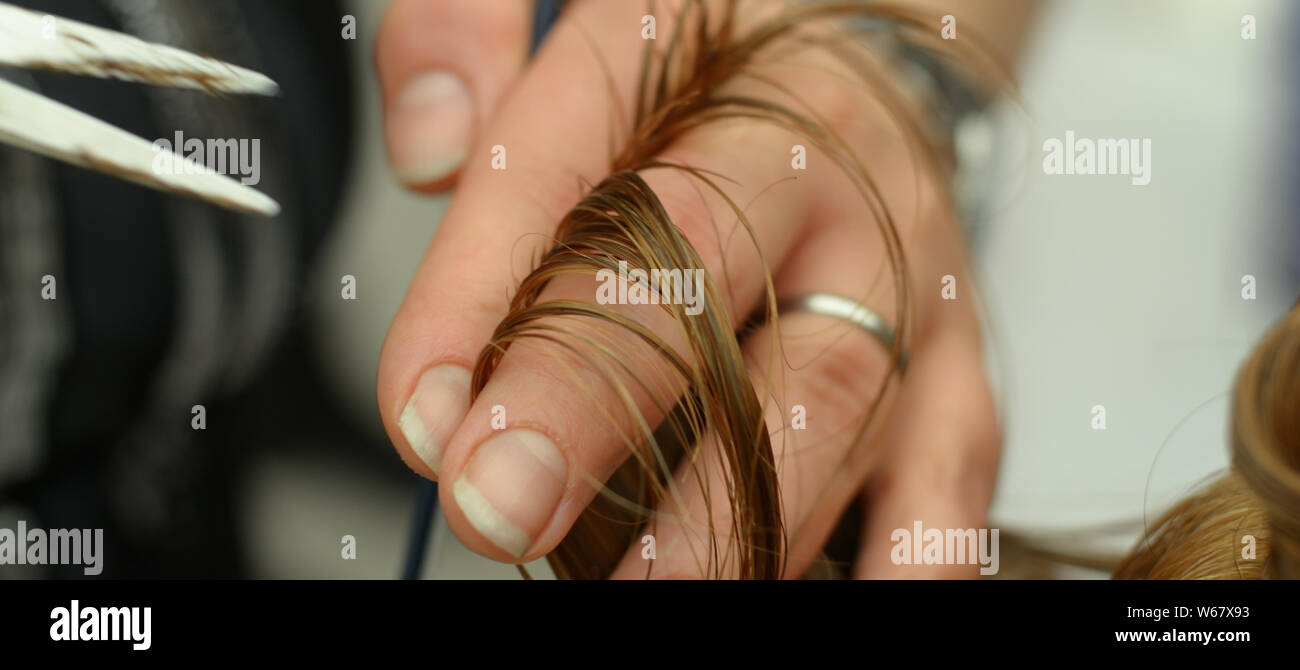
<point x="430" y="126"/>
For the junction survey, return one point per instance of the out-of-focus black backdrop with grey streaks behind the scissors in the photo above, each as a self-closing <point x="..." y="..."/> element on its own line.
<point x="164" y="304"/>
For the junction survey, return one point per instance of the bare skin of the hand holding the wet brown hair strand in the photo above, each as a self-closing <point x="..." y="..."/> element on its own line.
<point x="457" y="84"/>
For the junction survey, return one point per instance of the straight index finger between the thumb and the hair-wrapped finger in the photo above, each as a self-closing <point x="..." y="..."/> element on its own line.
<point x="522" y="176"/>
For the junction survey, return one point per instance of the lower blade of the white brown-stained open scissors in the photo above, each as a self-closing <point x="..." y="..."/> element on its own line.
<point x="32" y="122"/>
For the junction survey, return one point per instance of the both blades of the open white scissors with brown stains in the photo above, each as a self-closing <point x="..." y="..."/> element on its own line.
<point x="34" y="123"/>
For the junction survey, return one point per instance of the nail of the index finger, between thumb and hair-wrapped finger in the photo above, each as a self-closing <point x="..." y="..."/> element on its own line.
<point x="436" y="409"/>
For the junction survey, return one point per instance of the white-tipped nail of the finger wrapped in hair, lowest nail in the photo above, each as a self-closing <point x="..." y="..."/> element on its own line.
<point x="512" y="487"/>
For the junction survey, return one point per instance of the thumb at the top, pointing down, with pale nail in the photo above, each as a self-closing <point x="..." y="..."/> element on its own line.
<point x="443" y="66"/>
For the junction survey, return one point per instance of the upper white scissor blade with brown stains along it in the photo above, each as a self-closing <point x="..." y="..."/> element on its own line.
<point x="34" y="41"/>
